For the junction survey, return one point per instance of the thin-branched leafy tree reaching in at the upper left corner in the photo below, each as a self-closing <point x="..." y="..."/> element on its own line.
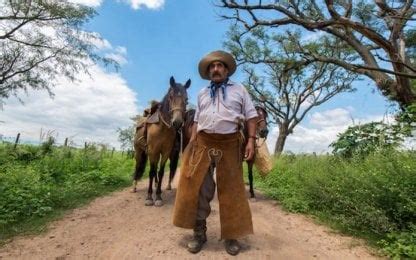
<point x="41" y="39"/>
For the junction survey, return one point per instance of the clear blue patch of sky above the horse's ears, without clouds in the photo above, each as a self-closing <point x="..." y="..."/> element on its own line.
<point x="160" y="43"/>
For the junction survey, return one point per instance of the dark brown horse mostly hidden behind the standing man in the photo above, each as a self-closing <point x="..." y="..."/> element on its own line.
<point x="262" y="132"/>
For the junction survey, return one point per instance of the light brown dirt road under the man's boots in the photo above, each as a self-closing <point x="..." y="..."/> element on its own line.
<point x="119" y="226"/>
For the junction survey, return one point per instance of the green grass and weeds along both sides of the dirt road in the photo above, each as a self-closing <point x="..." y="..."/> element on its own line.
<point x="372" y="197"/>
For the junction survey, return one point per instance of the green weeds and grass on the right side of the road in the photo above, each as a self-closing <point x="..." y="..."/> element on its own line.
<point x="372" y="197"/>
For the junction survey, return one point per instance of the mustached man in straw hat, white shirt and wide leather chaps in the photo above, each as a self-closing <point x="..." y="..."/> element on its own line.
<point x="217" y="142"/>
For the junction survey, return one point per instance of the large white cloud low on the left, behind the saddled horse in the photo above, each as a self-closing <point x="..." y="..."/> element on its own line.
<point x="89" y="110"/>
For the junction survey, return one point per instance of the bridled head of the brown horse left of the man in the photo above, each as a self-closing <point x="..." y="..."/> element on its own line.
<point x="178" y="98"/>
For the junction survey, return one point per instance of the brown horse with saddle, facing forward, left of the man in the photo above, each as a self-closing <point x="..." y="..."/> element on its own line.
<point x="160" y="138"/>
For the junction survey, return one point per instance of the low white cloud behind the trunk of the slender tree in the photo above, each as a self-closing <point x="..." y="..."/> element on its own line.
<point x="322" y="131"/>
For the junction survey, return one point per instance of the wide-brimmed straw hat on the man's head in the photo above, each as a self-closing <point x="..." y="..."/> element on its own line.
<point x="222" y="56"/>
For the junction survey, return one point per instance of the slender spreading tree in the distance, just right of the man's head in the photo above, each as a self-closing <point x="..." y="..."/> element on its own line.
<point x="288" y="85"/>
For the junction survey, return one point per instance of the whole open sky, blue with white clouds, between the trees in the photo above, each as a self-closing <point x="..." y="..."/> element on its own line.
<point x="153" y="40"/>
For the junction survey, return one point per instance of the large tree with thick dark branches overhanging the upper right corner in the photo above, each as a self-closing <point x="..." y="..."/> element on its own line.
<point x="375" y="30"/>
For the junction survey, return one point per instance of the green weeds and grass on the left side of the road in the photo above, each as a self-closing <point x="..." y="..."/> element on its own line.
<point x="35" y="184"/>
